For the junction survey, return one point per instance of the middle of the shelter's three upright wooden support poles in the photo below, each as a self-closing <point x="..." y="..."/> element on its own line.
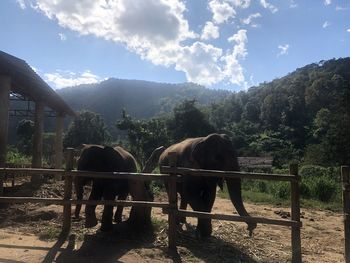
<point x="38" y="139"/>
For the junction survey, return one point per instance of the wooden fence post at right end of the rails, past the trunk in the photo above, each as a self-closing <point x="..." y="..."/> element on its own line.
<point x="295" y="213"/>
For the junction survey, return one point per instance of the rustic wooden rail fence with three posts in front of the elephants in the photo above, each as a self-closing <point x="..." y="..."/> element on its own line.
<point x="171" y="176"/>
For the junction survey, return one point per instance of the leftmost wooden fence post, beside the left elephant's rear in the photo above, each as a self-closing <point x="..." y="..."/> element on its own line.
<point x="67" y="208"/>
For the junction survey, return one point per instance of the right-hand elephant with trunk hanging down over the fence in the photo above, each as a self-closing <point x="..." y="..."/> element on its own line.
<point x="213" y="152"/>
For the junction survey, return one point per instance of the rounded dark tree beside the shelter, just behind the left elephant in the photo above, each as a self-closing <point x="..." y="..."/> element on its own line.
<point x="88" y="128"/>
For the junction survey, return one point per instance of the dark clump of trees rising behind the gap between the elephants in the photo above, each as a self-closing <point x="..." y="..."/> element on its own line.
<point x="144" y="136"/>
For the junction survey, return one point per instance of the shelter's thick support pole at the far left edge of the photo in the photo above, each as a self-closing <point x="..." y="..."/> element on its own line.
<point x="5" y="87"/>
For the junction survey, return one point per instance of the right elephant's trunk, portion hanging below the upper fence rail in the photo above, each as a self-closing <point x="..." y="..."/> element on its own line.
<point x="234" y="189"/>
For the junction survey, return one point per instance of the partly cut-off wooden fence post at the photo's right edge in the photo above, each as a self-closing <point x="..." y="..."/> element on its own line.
<point x="345" y="172"/>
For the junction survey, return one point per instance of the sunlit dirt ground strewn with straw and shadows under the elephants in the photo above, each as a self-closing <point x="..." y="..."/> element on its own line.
<point x="30" y="233"/>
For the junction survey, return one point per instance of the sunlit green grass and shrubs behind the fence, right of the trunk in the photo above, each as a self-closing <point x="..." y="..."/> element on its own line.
<point x="319" y="187"/>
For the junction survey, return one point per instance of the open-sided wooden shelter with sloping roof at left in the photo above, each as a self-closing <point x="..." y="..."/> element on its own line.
<point x="18" y="81"/>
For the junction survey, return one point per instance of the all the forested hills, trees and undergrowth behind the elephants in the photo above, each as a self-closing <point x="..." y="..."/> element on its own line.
<point x="303" y="117"/>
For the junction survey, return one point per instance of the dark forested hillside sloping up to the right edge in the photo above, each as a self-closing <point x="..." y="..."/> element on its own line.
<point x="304" y="115"/>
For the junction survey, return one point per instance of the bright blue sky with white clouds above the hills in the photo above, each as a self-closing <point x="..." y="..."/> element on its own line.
<point x="221" y="44"/>
